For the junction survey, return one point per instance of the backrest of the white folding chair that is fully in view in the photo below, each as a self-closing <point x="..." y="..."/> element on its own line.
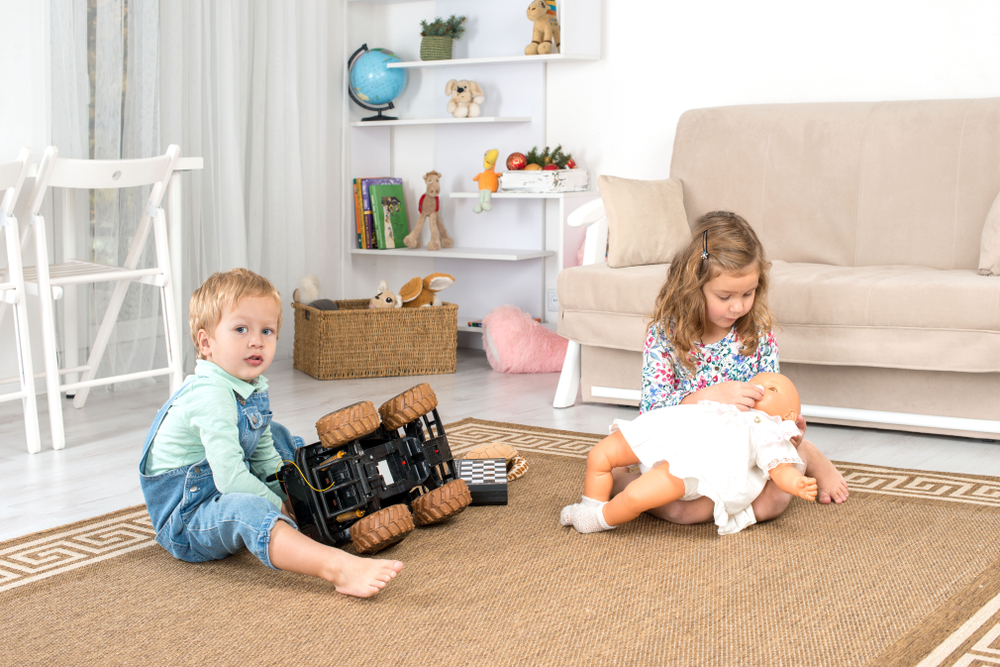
<point x="58" y="172"/>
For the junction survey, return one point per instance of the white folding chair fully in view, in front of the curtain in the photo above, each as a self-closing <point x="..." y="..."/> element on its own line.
<point x="56" y="172"/>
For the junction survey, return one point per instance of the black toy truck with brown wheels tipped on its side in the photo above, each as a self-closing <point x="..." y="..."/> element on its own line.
<point x="360" y="481"/>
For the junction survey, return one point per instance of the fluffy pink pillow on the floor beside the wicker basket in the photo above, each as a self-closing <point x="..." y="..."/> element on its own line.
<point x="516" y="343"/>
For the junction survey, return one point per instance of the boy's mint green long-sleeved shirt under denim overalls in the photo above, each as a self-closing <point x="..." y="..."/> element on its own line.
<point x="202" y="424"/>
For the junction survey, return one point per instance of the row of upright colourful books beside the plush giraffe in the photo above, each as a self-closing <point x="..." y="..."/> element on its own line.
<point x="380" y="213"/>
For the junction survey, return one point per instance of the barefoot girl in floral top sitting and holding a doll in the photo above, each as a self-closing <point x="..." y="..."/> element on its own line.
<point x="711" y="333"/>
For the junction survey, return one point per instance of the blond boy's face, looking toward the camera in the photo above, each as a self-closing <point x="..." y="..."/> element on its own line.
<point x="244" y="340"/>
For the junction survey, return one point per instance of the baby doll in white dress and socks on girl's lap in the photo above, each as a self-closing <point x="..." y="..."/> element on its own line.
<point x="687" y="451"/>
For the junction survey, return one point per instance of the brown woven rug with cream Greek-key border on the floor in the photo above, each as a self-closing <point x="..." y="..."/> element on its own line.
<point x="907" y="572"/>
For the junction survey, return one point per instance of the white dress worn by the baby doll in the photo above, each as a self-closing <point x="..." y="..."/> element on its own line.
<point x="717" y="450"/>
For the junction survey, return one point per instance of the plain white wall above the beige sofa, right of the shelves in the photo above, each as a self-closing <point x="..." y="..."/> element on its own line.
<point x="660" y="58"/>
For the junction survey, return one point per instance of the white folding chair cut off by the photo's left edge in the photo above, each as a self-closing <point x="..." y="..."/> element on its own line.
<point x="12" y="292"/>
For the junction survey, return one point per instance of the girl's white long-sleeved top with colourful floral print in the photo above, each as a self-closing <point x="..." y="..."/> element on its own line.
<point x="666" y="381"/>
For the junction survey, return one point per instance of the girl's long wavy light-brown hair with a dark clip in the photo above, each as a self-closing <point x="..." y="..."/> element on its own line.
<point x="722" y="242"/>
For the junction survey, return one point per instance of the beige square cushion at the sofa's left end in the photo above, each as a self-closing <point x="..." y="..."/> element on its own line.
<point x="646" y="220"/>
